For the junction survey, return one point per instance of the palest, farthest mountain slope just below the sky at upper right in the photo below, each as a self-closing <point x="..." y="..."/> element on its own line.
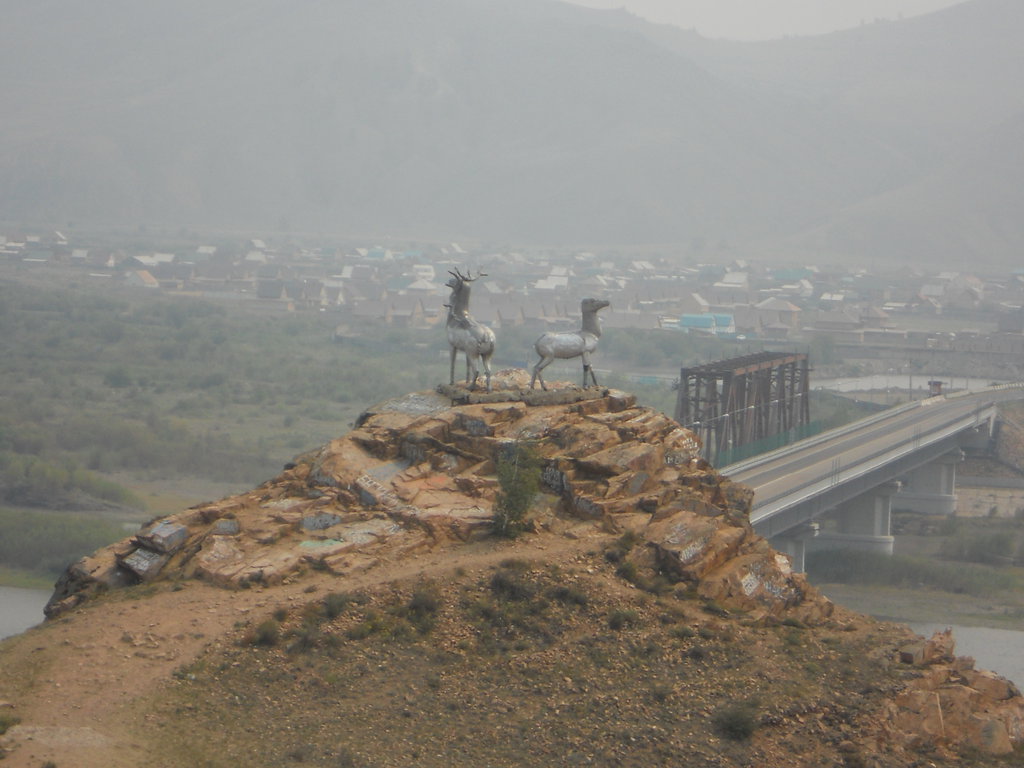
<point x="928" y="83"/>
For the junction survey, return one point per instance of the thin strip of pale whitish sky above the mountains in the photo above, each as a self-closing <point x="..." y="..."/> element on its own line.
<point x="762" y="20"/>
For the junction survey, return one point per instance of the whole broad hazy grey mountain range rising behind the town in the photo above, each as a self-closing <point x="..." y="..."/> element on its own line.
<point x="533" y="121"/>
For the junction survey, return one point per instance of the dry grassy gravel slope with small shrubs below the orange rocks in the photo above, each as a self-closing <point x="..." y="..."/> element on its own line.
<point x="523" y="664"/>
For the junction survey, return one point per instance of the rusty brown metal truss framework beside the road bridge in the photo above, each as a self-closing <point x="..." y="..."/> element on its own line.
<point x="741" y="401"/>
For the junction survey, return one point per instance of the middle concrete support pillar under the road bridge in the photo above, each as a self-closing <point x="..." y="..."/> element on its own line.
<point x="863" y="523"/>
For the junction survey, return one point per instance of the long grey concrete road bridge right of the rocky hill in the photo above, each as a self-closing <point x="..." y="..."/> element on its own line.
<point x="838" y="489"/>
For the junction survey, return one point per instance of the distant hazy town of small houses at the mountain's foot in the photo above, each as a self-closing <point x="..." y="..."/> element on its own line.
<point x="905" y="320"/>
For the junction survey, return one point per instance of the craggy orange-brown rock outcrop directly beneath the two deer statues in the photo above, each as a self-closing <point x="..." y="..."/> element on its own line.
<point x="419" y="473"/>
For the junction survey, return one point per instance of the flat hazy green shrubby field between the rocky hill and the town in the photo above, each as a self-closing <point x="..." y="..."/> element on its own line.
<point x="108" y="392"/>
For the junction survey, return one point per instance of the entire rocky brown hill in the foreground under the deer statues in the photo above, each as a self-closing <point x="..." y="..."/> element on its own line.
<point x="358" y="610"/>
